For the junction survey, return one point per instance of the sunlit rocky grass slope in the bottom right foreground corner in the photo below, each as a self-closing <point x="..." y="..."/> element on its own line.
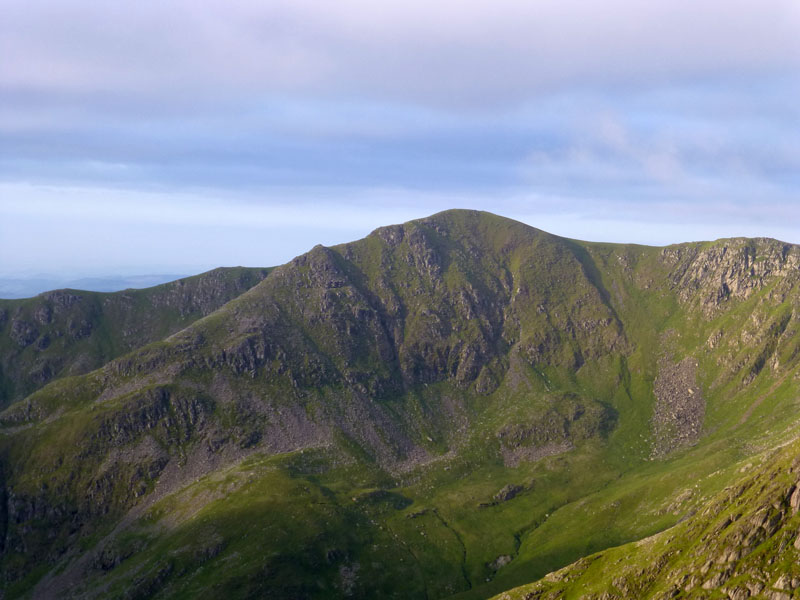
<point x="743" y="543"/>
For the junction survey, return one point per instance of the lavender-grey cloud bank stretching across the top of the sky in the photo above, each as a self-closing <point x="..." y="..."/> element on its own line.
<point x="446" y="52"/>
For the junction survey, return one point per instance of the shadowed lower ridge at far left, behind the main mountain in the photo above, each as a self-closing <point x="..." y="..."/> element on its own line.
<point x="71" y="332"/>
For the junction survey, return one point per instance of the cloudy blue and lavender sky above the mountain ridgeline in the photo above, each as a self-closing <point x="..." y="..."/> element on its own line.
<point x="174" y="137"/>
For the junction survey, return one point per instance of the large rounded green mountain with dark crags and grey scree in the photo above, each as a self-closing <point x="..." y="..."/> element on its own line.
<point x="452" y="407"/>
